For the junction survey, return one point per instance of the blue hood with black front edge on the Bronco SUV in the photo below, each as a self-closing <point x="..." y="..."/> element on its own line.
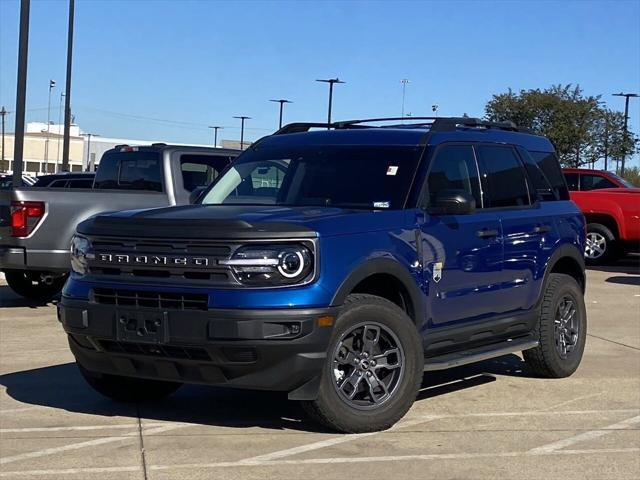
<point x="240" y="222"/>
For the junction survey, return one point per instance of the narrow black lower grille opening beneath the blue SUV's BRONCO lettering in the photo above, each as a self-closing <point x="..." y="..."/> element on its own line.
<point x="160" y="300"/>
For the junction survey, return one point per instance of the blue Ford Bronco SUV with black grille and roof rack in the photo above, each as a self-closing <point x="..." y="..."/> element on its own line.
<point x="338" y="264"/>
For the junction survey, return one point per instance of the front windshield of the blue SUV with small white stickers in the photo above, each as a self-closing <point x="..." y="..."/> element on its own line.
<point x="339" y="176"/>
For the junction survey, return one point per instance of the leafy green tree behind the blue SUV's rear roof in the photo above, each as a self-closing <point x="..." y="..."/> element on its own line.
<point x="581" y="128"/>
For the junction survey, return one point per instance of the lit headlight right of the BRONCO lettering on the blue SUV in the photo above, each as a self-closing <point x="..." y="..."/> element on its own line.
<point x="271" y="265"/>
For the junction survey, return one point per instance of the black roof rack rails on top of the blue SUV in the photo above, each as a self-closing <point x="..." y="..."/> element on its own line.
<point x="436" y="124"/>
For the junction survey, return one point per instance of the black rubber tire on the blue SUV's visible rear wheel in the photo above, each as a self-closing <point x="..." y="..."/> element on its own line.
<point x="546" y="360"/>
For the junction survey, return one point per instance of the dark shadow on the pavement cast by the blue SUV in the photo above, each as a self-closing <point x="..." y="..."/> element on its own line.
<point x="62" y="387"/>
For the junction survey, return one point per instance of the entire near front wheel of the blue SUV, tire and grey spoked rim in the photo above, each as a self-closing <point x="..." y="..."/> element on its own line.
<point x="373" y="370"/>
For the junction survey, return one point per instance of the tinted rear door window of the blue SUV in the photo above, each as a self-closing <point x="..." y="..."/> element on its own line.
<point x="503" y="177"/>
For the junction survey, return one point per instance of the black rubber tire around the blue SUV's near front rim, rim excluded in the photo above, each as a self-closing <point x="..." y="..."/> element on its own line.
<point x="335" y="412"/>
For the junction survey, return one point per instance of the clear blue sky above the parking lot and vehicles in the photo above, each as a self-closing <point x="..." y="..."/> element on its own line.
<point x="204" y="62"/>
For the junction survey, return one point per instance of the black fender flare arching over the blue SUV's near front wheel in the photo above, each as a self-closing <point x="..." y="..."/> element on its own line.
<point x="390" y="267"/>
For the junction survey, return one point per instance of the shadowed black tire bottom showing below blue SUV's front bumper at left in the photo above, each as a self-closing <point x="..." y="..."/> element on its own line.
<point x="128" y="389"/>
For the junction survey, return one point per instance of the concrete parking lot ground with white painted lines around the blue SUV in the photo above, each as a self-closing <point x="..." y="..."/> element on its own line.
<point x="489" y="420"/>
